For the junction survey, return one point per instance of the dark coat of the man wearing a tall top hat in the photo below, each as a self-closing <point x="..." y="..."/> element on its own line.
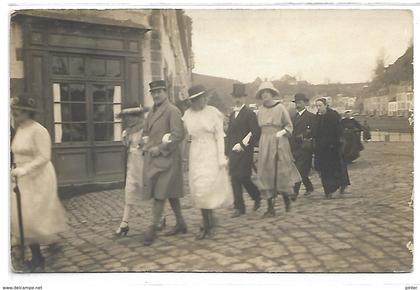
<point x="240" y="163"/>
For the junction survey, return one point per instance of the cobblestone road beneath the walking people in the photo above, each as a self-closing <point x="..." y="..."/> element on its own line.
<point x="365" y="231"/>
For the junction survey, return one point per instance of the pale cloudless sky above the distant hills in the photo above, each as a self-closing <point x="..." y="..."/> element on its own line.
<point x="319" y="46"/>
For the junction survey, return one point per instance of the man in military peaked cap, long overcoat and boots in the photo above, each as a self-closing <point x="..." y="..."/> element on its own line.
<point x="164" y="132"/>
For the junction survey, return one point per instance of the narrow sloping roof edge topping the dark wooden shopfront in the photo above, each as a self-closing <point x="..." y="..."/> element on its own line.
<point x="79" y="16"/>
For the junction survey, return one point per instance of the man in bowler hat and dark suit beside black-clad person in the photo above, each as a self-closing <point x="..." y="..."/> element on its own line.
<point x="301" y="143"/>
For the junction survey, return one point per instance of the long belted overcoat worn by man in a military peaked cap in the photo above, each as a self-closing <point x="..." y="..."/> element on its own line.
<point x="163" y="176"/>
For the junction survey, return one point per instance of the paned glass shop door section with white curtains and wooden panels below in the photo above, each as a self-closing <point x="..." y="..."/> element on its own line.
<point x="87" y="134"/>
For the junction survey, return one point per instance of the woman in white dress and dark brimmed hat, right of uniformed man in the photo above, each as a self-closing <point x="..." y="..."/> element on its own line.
<point x="208" y="176"/>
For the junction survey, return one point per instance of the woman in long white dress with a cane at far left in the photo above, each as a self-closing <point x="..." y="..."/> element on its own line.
<point x="43" y="214"/>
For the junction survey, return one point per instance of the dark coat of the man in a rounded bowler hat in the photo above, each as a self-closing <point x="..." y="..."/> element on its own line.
<point x="301" y="141"/>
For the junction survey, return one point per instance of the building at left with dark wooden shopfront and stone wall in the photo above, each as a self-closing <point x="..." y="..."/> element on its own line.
<point x="84" y="66"/>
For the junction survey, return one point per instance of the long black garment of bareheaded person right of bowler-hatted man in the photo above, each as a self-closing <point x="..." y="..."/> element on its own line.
<point x="327" y="133"/>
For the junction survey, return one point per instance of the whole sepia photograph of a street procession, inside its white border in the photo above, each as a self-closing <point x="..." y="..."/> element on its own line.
<point x="211" y="140"/>
